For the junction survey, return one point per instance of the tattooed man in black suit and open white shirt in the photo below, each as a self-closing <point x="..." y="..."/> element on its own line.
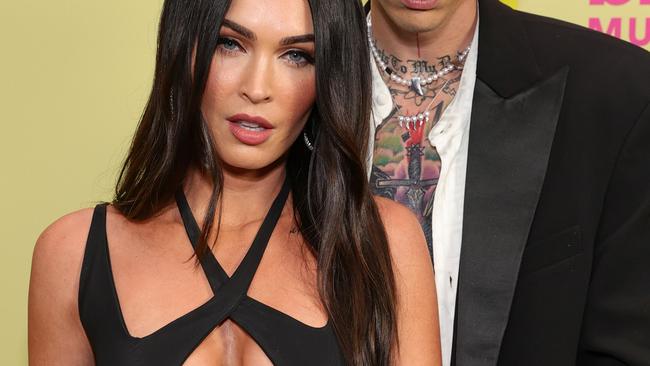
<point x="533" y="136"/>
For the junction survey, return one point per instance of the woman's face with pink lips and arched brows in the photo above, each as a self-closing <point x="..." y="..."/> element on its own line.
<point x="262" y="84"/>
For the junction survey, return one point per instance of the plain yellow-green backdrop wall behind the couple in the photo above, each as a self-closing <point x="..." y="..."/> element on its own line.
<point x="74" y="77"/>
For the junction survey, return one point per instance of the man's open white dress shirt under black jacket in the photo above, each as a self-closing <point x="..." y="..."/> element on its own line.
<point x="450" y="136"/>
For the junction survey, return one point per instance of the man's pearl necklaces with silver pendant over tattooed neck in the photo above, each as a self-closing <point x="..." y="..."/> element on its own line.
<point x="416" y="83"/>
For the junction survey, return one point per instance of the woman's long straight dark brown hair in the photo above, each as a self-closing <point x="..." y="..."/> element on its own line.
<point x="334" y="208"/>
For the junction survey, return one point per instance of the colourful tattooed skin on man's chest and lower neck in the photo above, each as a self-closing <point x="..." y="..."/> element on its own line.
<point x="405" y="166"/>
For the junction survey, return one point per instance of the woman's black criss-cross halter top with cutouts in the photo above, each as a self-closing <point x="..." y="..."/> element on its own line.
<point x="285" y="340"/>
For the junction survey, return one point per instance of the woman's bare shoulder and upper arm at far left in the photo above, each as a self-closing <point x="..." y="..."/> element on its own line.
<point x="55" y="331"/>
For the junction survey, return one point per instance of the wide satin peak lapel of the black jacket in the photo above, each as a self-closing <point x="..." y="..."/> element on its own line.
<point x="509" y="146"/>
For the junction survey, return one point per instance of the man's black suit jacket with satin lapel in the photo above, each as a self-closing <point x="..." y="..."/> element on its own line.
<point x="555" y="259"/>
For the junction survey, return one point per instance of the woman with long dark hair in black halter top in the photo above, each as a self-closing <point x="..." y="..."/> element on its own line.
<point x="242" y="230"/>
